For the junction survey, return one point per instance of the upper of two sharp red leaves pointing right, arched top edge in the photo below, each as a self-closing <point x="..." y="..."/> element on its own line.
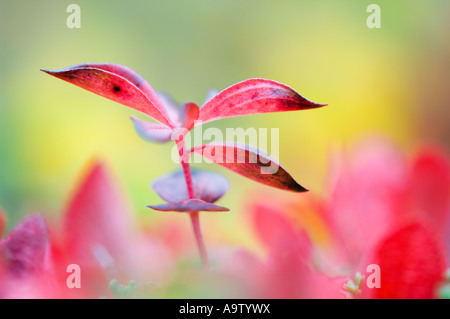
<point x="254" y="96"/>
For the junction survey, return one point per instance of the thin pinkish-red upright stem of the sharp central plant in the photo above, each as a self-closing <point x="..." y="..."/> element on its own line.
<point x="195" y="220"/>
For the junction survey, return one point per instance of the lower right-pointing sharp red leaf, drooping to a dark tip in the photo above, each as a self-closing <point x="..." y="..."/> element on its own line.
<point x="249" y="162"/>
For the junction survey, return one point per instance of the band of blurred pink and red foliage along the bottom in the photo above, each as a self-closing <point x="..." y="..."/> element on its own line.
<point x="382" y="208"/>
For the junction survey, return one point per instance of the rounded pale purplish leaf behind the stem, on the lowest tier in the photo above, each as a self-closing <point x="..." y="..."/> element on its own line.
<point x="208" y="186"/>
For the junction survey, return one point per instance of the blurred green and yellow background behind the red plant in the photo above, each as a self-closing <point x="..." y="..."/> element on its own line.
<point x="391" y="81"/>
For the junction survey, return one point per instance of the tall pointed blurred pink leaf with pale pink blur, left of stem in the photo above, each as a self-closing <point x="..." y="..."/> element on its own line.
<point x="96" y="235"/>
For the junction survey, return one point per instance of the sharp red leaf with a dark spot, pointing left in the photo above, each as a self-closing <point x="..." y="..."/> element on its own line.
<point x="118" y="83"/>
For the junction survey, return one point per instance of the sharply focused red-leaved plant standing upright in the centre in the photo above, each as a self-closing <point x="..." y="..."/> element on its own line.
<point x="187" y="191"/>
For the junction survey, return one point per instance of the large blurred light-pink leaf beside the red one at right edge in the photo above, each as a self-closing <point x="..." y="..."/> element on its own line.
<point x="362" y="206"/>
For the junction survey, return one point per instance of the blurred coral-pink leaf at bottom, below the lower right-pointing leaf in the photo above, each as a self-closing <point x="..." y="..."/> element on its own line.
<point x="288" y="270"/>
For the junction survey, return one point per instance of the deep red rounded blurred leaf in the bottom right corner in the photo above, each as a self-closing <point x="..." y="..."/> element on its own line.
<point x="411" y="263"/>
